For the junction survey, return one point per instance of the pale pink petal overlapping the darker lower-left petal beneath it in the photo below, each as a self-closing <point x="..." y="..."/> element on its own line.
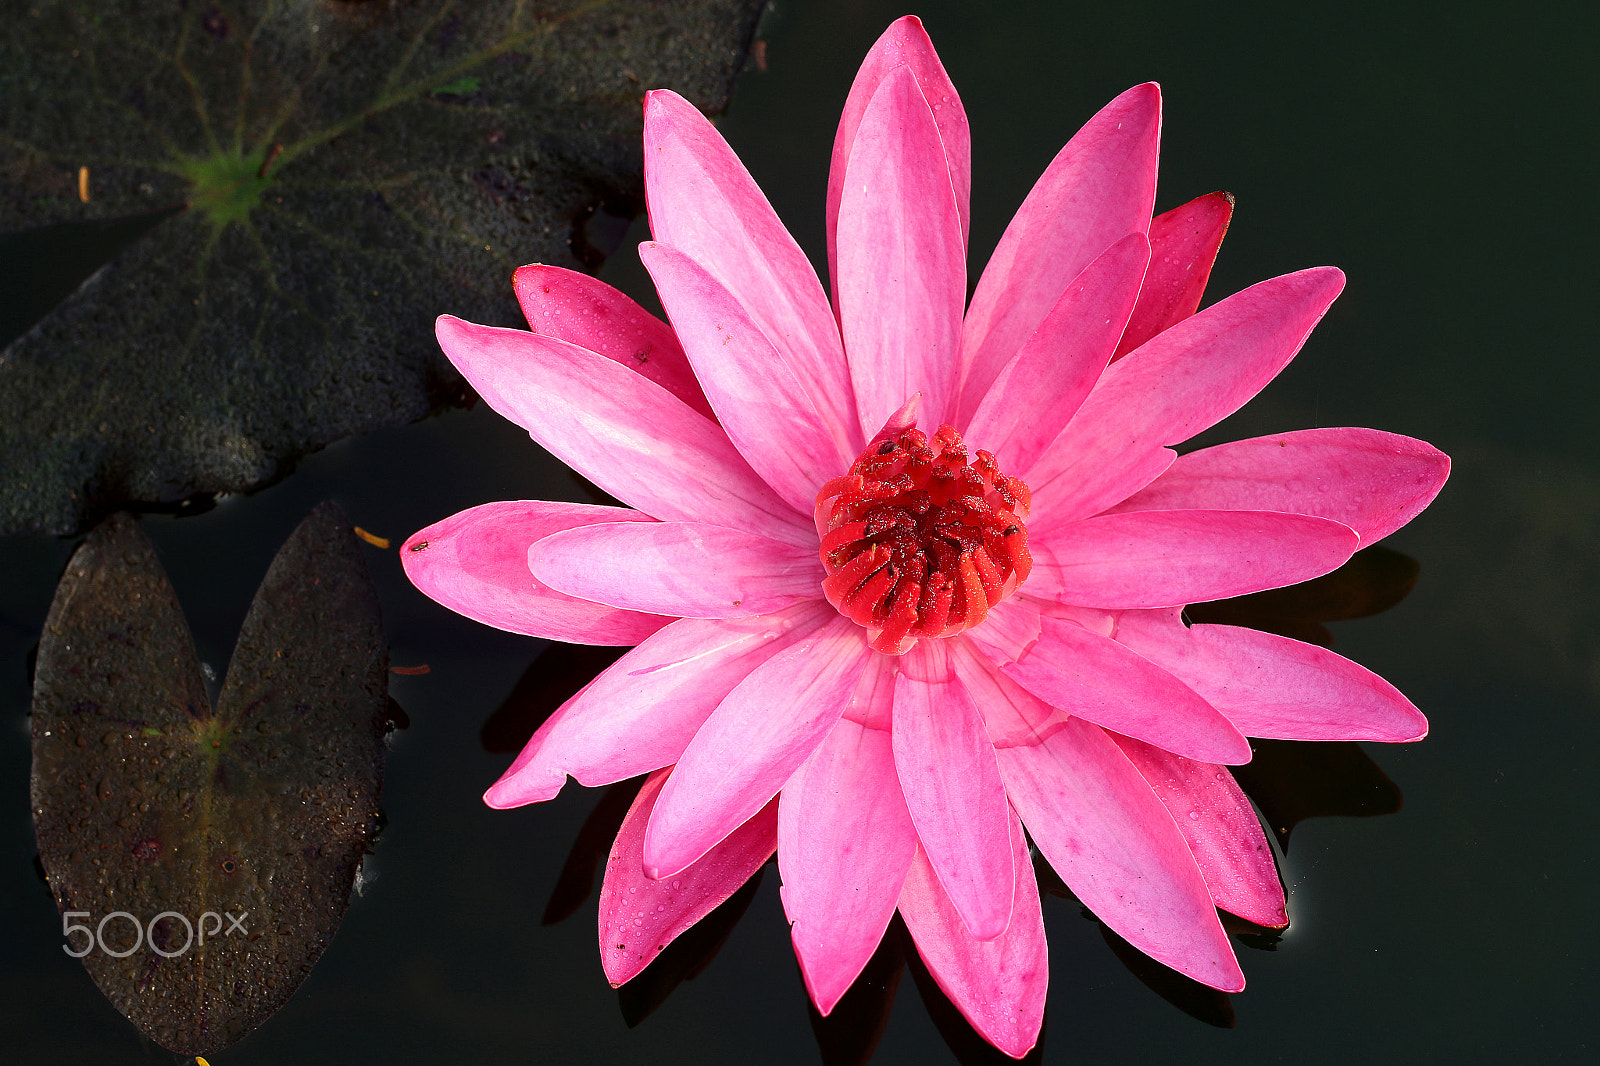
<point x="753" y="743"/>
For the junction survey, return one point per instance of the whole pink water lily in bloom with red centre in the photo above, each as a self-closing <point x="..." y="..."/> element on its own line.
<point x="906" y="574"/>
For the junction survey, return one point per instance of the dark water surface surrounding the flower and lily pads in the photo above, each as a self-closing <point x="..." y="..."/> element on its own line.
<point x="1449" y="164"/>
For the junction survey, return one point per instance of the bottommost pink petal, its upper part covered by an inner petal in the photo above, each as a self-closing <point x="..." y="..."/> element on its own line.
<point x="999" y="985"/>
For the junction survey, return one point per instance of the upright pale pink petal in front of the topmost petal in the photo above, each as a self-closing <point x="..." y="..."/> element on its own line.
<point x="902" y="258"/>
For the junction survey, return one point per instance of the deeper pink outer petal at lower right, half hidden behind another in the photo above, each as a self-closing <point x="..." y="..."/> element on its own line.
<point x="1222" y="828"/>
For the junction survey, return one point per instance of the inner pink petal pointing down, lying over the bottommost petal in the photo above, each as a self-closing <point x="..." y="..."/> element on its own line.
<point x="953" y="788"/>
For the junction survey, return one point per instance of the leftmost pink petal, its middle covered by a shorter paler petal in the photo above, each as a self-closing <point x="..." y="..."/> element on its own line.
<point x="476" y="564"/>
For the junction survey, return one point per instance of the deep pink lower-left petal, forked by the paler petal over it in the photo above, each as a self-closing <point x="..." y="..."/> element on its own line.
<point x="641" y="916"/>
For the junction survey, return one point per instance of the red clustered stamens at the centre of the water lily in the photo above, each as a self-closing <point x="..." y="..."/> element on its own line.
<point x="921" y="543"/>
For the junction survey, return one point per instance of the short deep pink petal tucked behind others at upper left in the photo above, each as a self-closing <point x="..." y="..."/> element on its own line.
<point x="586" y="311"/>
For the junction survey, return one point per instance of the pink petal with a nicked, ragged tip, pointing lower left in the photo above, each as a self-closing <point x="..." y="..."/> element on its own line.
<point x="644" y="710"/>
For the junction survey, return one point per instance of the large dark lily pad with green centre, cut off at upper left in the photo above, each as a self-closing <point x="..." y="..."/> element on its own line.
<point x="345" y="172"/>
